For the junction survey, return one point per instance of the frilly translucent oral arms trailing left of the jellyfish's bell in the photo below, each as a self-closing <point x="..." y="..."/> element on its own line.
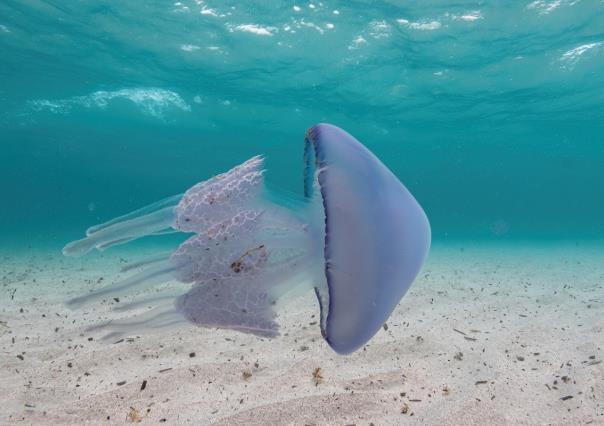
<point x="249" y="249"/>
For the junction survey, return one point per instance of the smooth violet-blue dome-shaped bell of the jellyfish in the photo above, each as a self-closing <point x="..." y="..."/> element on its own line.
<point x="377" y="236"/>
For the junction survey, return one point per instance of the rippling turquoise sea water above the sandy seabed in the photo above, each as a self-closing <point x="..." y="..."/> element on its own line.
<point x="491" y="113"/>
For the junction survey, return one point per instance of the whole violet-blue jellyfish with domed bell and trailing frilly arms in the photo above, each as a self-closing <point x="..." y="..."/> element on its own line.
<point x="357" y="238"/>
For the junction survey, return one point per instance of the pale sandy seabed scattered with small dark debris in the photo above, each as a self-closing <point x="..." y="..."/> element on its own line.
<point x="488" y="334"/>
